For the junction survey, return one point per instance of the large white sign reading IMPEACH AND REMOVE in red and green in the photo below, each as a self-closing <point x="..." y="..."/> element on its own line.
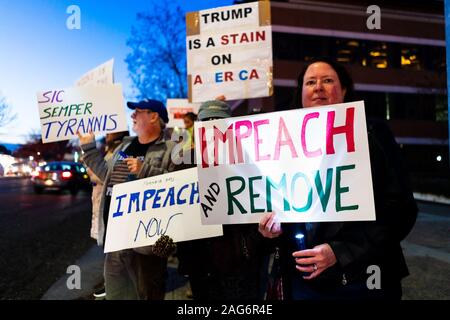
<point x="308" y="165"/>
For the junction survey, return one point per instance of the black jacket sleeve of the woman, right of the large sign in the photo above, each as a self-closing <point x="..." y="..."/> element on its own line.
<point x="396" y="210"/>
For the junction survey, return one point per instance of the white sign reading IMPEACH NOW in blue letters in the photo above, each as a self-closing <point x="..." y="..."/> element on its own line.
<point x="143" y="210"/>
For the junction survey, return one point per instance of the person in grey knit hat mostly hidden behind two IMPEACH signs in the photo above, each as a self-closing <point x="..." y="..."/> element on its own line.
<point x="226" y="267"/>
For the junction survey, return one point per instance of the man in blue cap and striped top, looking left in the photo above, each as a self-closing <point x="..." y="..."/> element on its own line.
<point x="136" y="273"/>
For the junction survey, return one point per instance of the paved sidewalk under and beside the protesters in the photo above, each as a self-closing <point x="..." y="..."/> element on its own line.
<point x="427" y="251"/>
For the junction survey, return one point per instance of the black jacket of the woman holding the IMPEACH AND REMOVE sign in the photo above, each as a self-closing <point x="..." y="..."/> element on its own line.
<point x="357" y="245"/>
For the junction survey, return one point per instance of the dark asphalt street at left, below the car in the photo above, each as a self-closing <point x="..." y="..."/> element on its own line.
<point x="40" y="235"/>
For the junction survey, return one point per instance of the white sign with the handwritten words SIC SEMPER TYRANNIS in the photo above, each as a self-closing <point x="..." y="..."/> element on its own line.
<point x="63" y="112"/>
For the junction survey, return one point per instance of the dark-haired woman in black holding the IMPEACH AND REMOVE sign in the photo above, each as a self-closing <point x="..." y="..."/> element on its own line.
<point x="348" y="260"/>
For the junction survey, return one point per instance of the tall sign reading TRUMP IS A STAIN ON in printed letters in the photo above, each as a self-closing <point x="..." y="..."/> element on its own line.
<point x="229" y="52"/>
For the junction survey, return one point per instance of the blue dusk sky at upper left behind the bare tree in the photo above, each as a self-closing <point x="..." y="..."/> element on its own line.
<point x="38" y="52"/>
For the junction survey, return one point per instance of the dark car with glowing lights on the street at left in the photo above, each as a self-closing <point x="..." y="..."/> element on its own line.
<point x="61" y="175"/>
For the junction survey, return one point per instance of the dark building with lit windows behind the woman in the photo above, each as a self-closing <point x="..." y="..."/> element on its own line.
<point x="399" y="69"/>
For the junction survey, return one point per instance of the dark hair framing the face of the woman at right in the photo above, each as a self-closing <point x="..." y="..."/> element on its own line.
<point x="344" y="78"/>
